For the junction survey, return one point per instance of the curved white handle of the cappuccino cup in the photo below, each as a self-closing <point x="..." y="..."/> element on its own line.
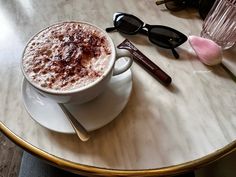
<point x="122" y="53"/>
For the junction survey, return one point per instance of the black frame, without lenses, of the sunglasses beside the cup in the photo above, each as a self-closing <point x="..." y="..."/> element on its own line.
<point x="147" y="32"/>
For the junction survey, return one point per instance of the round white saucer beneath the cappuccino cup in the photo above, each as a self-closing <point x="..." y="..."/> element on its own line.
<point x="92" y="115"/>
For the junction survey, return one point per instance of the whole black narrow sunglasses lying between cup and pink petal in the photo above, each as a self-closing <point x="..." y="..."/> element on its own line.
<point x="162" y="36"/>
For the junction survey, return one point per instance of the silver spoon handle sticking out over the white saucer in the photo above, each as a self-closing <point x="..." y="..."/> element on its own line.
<point x="79" y="129"/>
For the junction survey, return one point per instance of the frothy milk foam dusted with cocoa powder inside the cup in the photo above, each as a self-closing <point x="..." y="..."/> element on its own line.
<point x="67" y="56"/>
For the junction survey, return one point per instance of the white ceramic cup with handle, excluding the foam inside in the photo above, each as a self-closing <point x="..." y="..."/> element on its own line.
<point x="92" y="90"/>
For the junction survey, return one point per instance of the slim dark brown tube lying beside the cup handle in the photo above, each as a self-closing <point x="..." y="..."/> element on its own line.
<point x="146" y="63"/>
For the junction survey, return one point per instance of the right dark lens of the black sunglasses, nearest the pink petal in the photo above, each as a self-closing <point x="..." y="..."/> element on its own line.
<point x="166" y="37"/>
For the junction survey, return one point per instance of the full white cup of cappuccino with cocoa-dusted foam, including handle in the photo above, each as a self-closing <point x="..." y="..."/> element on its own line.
<point x="71" y="62"/>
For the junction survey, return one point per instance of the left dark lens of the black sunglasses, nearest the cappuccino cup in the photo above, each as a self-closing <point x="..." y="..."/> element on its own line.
<point x="127" y="24"/>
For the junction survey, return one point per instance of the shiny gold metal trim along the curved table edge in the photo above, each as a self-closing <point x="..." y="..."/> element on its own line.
<point x="97" y="171"/>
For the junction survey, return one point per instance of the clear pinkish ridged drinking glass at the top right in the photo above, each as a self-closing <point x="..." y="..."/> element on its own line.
<point x="220" y="23"/>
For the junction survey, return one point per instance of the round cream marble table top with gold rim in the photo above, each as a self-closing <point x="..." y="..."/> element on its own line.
<point x="160" y="127"/>
